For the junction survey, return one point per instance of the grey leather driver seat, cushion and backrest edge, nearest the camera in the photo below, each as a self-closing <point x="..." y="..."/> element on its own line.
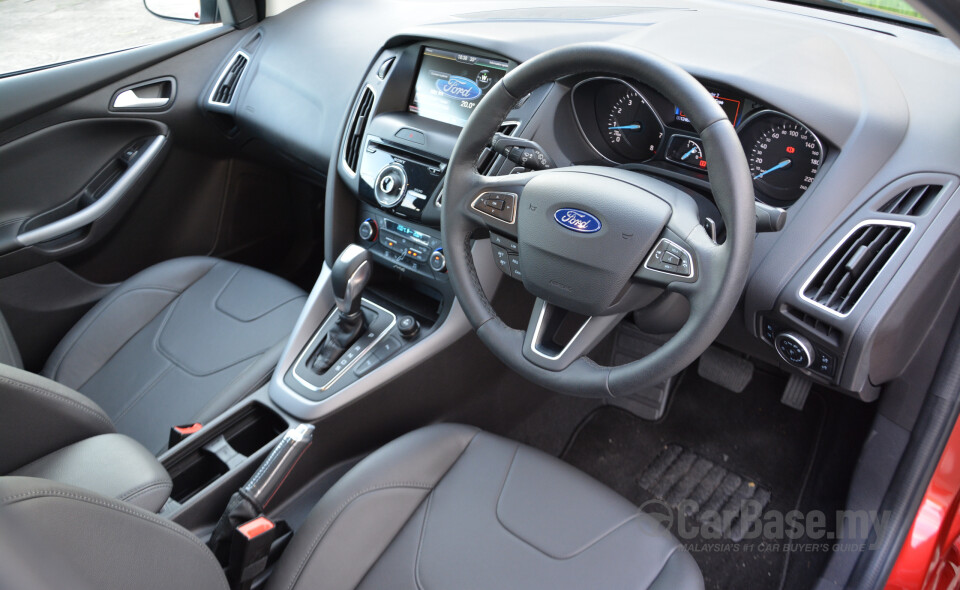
<point x="443" y="507"/>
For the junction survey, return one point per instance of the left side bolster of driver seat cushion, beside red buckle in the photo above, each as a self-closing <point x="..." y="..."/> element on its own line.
<point x="356" y="520"/>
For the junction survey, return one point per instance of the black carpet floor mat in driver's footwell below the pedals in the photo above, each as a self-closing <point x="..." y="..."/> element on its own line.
<point x="717" y="465"/>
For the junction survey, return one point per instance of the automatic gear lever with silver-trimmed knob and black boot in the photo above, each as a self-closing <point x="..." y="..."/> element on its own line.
<point x="349" y="276"/>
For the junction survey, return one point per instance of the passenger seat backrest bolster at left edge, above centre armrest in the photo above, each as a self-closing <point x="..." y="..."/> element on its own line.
<point x="40" y="416"/>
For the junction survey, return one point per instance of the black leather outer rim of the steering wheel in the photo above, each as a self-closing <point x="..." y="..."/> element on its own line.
<point x="716" y="291"/>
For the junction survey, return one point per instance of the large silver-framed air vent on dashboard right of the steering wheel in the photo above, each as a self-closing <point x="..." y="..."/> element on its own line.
<point x="841" y="279"/>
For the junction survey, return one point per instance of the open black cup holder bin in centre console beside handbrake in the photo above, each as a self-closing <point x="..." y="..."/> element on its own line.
<point x="214" y="451"/>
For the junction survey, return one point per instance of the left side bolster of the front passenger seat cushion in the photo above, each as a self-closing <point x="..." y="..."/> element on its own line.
<point x="118" y="316"/>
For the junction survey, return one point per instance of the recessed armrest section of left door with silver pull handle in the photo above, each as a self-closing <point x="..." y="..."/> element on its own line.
<point x="66" y="186"/>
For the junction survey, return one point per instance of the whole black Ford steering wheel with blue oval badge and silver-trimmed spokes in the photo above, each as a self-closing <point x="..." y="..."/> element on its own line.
<point x="596" y="243"/>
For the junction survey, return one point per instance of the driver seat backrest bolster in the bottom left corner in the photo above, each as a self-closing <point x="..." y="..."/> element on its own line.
<point x="98" y="543"/>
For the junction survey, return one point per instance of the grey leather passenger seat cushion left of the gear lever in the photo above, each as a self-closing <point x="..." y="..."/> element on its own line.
<point x="177" y="343"/>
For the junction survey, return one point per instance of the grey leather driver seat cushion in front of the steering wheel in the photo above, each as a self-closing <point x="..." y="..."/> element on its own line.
<point x="449" y="506"/>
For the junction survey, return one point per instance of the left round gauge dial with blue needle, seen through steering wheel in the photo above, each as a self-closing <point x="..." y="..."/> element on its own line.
<point x="630" y="126"/>
